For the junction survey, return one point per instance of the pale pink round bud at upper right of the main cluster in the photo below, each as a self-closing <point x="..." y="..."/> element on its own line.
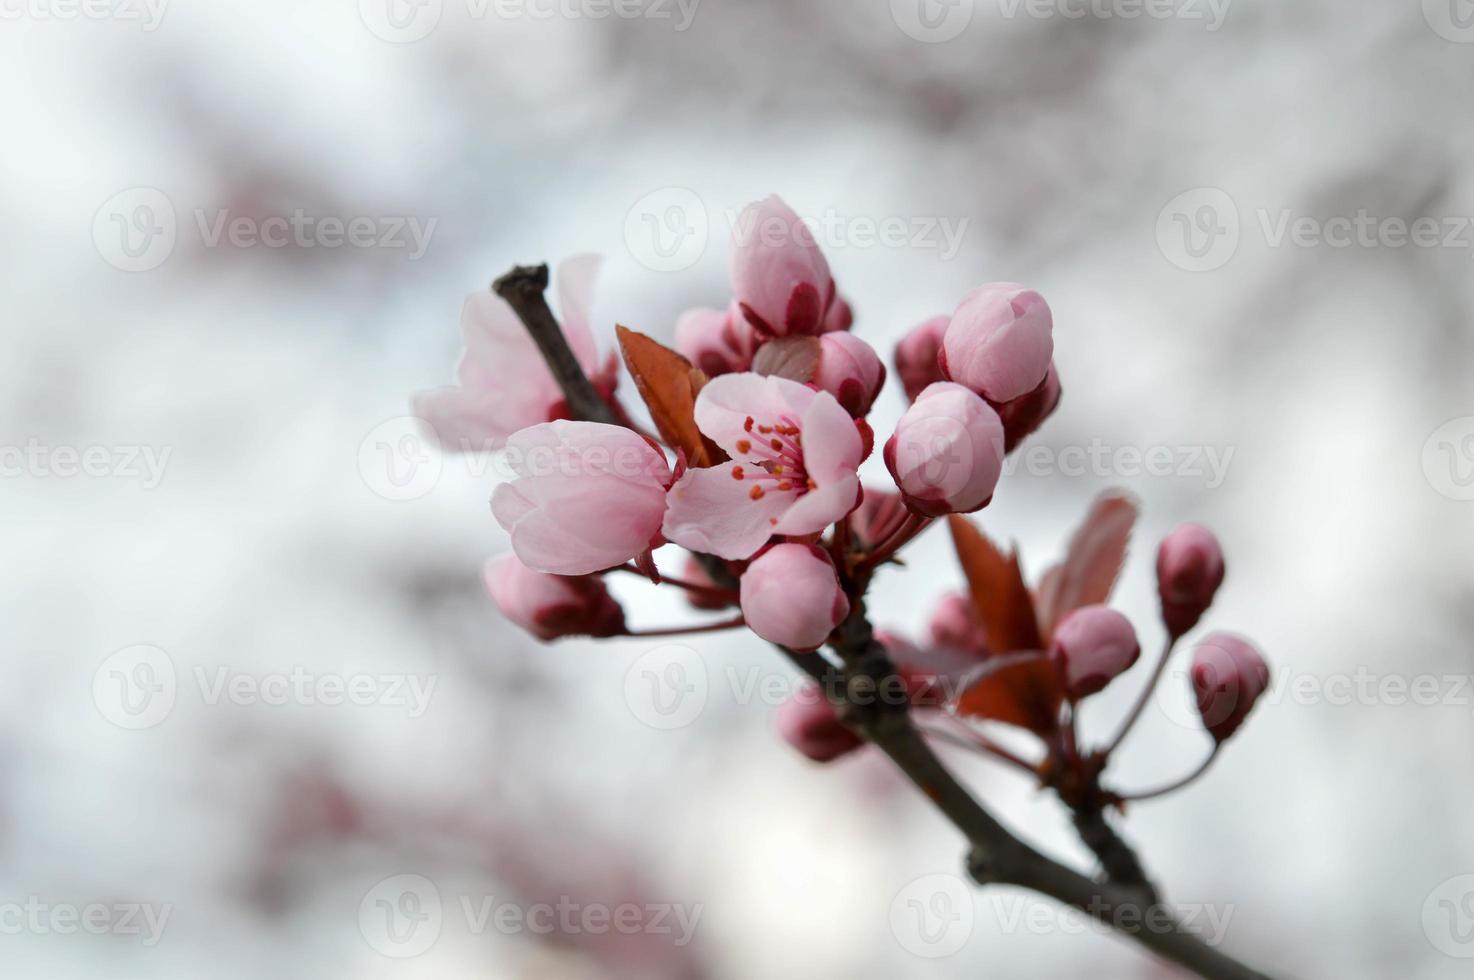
<point x="1000" y="343"/>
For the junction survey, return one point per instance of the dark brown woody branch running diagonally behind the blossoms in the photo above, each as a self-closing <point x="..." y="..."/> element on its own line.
<point x="997" y="855"/>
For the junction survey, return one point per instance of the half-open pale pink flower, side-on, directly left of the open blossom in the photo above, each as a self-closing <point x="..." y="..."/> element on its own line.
<point x="587" y="497"/>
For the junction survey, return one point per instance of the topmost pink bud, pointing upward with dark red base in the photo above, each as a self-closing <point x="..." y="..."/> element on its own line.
<point x="780" y="276"/>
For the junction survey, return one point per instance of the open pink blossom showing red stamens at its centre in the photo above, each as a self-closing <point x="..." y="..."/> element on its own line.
<point x="794" y="468"/>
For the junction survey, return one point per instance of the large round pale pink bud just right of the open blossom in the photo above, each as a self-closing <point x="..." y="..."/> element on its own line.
<point x="947" y="453"/>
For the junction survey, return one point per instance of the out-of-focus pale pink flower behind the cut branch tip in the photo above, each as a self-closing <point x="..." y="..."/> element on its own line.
<point x="503" y="381"/>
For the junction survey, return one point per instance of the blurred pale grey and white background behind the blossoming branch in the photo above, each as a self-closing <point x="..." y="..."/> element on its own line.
<point x="259" y="717"/>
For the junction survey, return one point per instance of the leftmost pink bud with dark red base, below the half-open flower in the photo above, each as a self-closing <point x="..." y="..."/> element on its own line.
<point x="552" y="606"/>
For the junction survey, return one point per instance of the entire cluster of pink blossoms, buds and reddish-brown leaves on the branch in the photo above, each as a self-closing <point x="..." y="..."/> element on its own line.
<point x="763" y="422"/>
